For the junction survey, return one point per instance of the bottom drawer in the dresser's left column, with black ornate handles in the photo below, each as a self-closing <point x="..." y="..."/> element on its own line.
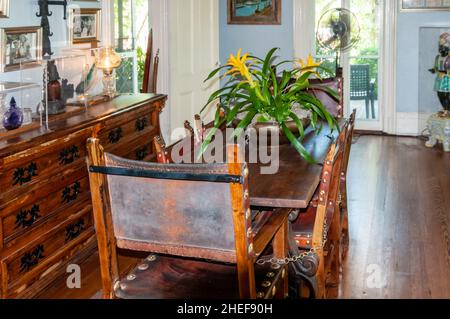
<point x="21" y="266"/>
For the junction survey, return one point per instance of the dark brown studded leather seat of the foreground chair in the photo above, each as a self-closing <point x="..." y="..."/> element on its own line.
<point x="167" y="277"/>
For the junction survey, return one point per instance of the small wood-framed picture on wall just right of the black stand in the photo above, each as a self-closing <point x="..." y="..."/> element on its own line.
<point x="85" y="25"/>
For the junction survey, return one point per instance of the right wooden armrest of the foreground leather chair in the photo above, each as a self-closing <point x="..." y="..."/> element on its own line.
<point x="271" y="227"/>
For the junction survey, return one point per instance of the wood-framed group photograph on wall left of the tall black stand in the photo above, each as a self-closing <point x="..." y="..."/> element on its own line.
<point x="20" y="47"/>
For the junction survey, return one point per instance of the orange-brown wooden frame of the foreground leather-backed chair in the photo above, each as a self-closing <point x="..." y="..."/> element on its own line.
<point x="249" y="246"/>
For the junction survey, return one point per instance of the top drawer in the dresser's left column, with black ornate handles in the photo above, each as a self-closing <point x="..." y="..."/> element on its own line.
<point x="22" y="170"/>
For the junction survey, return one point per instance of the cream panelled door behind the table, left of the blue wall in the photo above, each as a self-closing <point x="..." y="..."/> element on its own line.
<point x="194" y="53"/>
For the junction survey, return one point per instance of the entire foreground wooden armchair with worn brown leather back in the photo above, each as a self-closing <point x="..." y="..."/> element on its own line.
<point x="182" y="210"/>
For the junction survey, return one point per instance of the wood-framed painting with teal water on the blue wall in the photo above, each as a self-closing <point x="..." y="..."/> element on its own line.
<point x="254" y="12"/>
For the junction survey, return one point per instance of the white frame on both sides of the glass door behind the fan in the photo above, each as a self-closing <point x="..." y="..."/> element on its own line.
<point x="304" y="22"/>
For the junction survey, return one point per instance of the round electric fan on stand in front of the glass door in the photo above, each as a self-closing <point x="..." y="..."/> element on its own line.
<point x="338" y="31"/>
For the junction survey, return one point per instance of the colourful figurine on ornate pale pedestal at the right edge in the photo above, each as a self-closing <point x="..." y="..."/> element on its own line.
<point x="439" y="124"/>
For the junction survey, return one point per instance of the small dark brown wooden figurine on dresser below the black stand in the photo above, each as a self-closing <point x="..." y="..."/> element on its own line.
<point x="57" y="94"/>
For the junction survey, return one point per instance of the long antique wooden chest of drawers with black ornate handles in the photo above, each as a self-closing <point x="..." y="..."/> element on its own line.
<point x="45" y="206"/>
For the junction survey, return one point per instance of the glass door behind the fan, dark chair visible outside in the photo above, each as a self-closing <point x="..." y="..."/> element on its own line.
<point x="361" y="64"/>
